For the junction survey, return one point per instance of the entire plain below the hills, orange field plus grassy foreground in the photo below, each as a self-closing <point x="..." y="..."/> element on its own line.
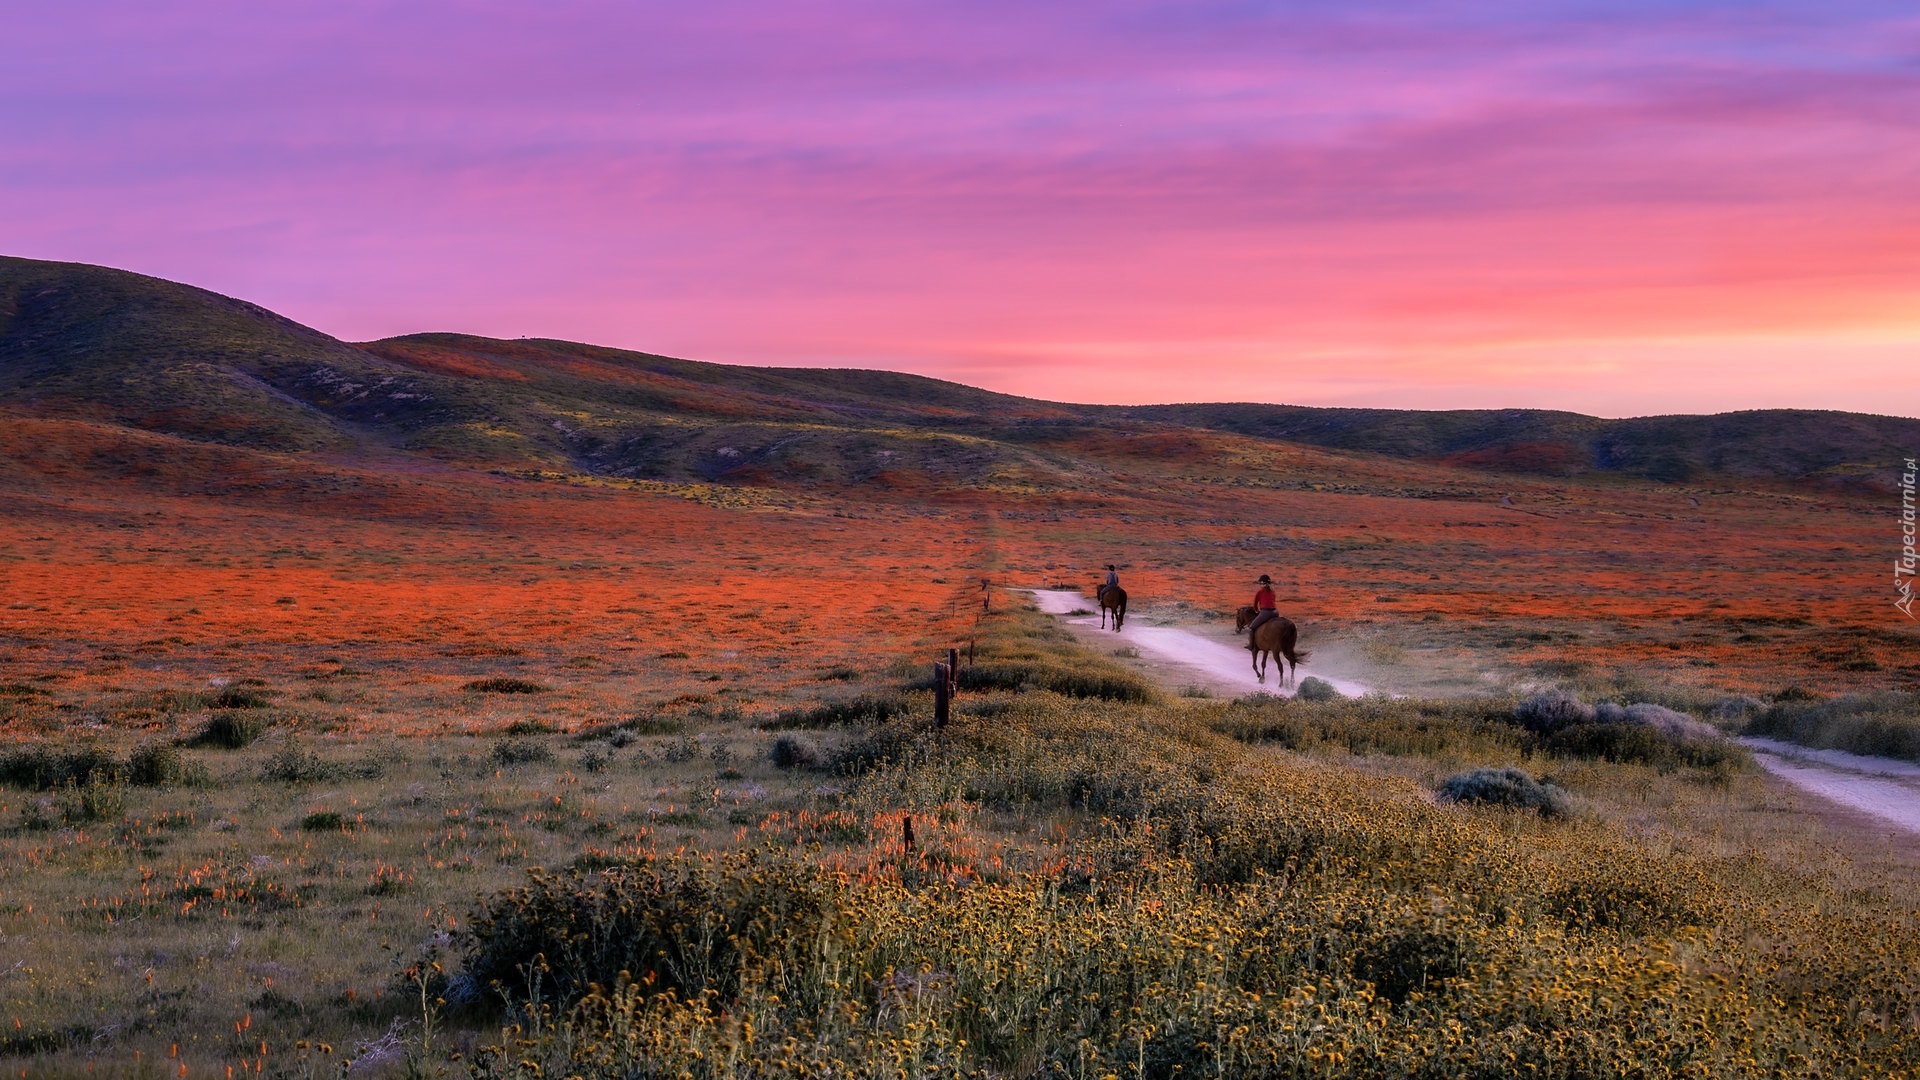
<point x="318" y="764"/>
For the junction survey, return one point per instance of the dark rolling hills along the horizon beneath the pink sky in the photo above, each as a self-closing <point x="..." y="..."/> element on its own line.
<point x="103" y="345"/>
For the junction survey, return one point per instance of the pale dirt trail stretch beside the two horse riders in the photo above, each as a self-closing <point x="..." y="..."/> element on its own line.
<point x="1186" y="656"/>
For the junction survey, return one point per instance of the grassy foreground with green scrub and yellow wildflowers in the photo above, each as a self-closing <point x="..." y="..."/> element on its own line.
<point x="1103" y="881"/>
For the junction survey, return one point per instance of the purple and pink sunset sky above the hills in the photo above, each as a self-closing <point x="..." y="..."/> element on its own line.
<point x="1618" y="209"/>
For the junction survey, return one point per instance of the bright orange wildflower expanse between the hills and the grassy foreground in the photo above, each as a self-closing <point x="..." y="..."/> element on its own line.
<point x="141" y="566"/>
